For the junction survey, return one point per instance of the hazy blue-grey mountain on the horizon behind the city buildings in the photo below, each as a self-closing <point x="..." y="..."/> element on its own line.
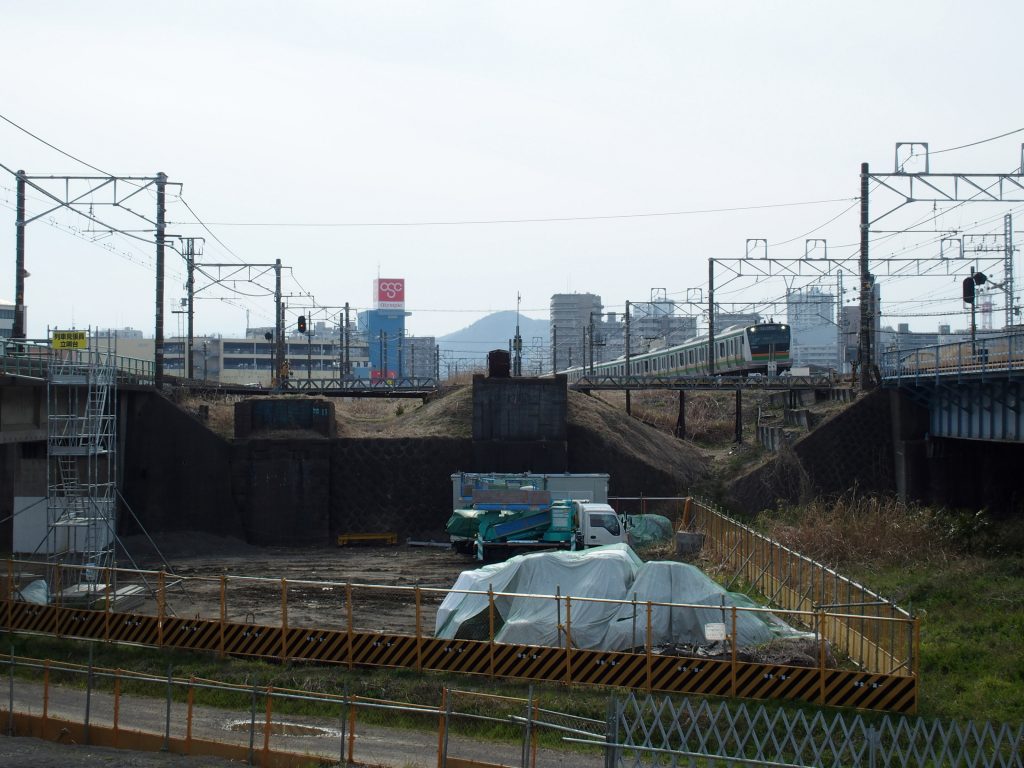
<point x="471" y="346"/>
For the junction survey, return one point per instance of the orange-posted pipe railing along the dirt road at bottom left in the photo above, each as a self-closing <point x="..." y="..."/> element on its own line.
<point x="269" y="726"/>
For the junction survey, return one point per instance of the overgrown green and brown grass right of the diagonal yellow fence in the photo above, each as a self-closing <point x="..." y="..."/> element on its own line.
<point x="962" y="573"/>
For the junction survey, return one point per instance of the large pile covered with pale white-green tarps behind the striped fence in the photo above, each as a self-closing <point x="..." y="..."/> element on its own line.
<point x="613" y="573"/>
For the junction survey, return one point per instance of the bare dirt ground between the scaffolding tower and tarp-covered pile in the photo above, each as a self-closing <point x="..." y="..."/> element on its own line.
<point x="315" y="582"/>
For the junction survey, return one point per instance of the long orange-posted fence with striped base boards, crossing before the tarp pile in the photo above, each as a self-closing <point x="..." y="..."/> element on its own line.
<point x="392" y="626"/>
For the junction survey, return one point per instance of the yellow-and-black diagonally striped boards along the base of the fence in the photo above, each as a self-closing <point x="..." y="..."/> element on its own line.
<point x="644" y="671"/>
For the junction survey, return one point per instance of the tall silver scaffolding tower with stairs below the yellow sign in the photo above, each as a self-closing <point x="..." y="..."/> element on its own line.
<point x="81" y="467"/>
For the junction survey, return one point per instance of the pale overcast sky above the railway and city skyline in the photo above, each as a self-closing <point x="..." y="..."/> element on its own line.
<point x="489" y="151"/>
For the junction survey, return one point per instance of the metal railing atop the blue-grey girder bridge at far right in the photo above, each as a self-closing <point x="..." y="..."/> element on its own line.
<point x="987" y="356"/>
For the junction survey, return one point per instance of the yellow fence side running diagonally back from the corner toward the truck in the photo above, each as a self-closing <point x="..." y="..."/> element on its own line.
<point x="872" y="631"/>
